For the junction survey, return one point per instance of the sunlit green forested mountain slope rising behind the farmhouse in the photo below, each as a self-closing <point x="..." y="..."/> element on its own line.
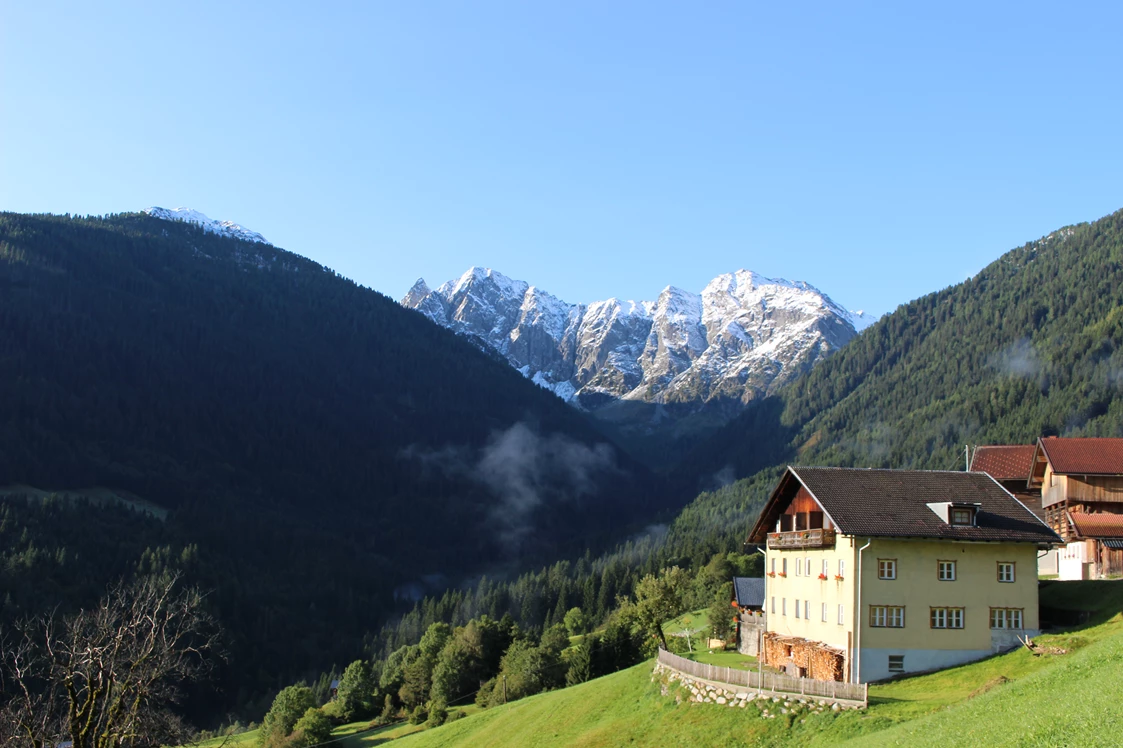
<point x="1031" y="345"/>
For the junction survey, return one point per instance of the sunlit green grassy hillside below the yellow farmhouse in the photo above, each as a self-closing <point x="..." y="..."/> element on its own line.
<point x="1016" y="700"/>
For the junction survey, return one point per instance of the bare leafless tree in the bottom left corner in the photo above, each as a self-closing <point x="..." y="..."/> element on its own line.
<point x="108" y="677"/>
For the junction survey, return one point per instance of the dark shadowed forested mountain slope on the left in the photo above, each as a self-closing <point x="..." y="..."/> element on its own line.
<point x="318" y="448"/>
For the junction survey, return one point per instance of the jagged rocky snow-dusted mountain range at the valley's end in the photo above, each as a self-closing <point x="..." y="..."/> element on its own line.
<point x="743" y="336"/>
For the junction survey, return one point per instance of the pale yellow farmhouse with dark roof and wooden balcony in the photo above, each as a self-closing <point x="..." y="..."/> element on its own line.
<point x="871" y="573"/>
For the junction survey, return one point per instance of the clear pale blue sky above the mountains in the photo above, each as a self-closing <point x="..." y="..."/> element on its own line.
<point x="879" y="151"/>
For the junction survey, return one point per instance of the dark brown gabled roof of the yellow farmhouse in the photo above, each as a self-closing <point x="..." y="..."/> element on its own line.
<point x="894" y="505"/>
